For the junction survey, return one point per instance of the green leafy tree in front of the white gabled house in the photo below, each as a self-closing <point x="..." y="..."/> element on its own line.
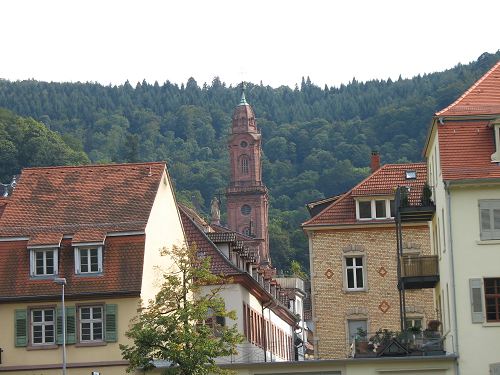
<point x="181" y="325"/>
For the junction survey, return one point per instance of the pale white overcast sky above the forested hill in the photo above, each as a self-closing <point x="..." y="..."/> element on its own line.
<point x="273" y="41"/>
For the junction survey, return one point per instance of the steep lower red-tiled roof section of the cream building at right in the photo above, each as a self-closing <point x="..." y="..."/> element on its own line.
<point x="465" y="150"/>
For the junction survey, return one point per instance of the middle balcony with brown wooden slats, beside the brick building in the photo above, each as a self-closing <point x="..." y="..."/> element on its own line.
<point x="419" y="272"/>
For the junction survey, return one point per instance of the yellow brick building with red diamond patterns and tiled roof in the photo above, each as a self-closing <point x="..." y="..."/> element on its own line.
<point x="353" y="259"/>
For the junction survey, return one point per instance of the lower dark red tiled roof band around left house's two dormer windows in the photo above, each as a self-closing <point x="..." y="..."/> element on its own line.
<point x="121" y="276"/>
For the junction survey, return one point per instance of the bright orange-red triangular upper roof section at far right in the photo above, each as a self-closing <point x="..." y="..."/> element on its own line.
<point x="483" y="98"/>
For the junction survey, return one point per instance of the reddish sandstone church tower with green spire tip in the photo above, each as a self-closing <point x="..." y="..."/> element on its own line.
<point x="247" y="198"/>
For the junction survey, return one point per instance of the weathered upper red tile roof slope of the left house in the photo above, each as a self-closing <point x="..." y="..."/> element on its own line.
<point x="85" y="201"/>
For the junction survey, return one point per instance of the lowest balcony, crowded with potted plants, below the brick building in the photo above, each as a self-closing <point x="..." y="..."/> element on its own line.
<point x="384" y="343"/>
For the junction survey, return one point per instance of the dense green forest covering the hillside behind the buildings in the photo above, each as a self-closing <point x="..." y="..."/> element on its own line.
<point x="316" y="141"/>
